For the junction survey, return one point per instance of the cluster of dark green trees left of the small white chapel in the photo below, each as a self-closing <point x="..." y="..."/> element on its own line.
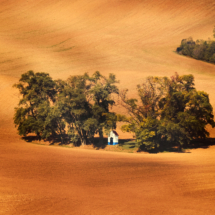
<point x="75" y="109"/>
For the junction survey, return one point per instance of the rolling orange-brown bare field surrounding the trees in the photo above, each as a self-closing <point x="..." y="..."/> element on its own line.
<point x="133" y="39"/>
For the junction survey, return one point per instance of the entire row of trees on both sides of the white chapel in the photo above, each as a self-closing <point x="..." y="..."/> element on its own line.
<point x="167" y="112"/>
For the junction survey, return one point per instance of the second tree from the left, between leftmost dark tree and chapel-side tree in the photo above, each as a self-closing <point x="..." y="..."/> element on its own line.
<point x="77" y="109"/>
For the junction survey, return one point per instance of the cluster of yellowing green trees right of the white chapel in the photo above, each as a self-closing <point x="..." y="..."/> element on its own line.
<point x="170" y="112"/>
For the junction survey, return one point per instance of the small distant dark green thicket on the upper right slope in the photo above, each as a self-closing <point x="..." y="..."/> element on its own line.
<point x="200" y="49"/>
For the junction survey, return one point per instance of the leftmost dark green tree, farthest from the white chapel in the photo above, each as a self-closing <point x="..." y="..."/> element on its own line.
<point x="38" y="92"/>
